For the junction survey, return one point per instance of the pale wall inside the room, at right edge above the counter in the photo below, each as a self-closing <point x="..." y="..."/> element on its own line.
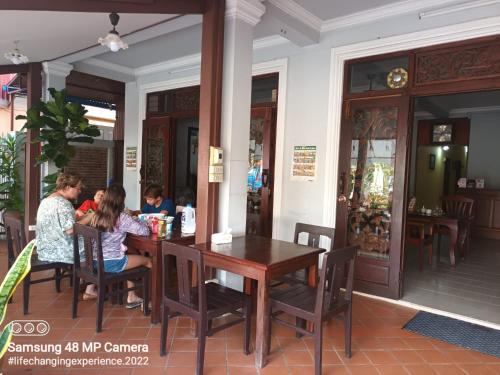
<point x="484" y="152"/>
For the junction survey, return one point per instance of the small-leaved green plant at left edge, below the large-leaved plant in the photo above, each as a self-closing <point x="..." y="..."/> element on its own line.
<point x="11" y="147"/>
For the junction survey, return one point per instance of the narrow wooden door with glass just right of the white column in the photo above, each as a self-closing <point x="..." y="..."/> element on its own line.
<point x="260" y="177"/>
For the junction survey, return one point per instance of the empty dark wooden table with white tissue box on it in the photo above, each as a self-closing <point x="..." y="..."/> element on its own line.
<point x="261" y="259"/>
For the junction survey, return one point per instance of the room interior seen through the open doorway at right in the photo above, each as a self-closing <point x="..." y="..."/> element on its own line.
<point x="455" y="152"/>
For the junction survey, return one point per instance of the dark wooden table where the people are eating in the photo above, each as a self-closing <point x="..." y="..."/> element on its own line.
<point x="151" y="246"/>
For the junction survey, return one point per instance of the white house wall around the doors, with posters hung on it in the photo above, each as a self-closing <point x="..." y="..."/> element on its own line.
<point x="306" y="108"/>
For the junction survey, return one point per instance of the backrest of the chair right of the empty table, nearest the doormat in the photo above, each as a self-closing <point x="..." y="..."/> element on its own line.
<point x="338" y="267"/>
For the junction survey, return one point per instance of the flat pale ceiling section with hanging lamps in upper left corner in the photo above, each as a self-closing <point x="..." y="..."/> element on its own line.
<point x="48" y="35"/>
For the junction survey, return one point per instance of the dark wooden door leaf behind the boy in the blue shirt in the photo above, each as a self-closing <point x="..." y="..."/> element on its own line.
<point x="157" y="154"/>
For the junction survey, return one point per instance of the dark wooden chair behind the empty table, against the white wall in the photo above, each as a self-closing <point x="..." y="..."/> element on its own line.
<point x="314" y="235"/>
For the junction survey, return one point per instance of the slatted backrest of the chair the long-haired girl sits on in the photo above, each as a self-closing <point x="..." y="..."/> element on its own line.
<point x="91" y="240"/>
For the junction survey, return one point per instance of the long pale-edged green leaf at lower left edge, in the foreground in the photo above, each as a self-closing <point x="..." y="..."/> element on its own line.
<point x="14" y="276"/>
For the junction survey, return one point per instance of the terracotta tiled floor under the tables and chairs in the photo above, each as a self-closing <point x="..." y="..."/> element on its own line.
<point x="380" y="346"/>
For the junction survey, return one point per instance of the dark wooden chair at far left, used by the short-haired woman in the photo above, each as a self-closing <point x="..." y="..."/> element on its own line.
<point x="16" y="242"/>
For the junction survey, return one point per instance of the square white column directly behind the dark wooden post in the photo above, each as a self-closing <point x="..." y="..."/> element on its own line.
<point x="241" y="18"/>
